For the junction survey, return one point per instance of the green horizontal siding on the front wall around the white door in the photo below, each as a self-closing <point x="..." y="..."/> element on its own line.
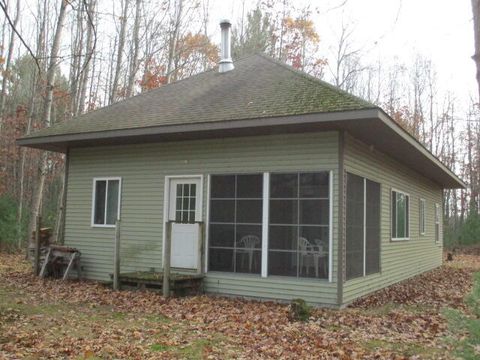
<point x="143" y="169"/>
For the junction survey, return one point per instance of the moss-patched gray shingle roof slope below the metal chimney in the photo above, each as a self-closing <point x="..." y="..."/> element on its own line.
<point x="258" y="87"/>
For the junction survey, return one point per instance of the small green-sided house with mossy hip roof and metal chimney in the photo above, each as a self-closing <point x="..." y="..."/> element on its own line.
<point x="305" y="191"/>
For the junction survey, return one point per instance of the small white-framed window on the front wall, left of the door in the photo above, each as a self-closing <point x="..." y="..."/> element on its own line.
<point x="106" y="200"/>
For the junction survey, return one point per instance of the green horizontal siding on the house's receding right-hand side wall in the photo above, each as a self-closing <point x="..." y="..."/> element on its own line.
<point x="399" y="259"/>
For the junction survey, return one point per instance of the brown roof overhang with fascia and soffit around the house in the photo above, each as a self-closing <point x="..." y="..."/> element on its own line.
<point x="372" y="126"/>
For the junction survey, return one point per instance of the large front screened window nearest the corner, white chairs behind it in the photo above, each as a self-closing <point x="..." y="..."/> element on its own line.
<point x="299" y="216"/>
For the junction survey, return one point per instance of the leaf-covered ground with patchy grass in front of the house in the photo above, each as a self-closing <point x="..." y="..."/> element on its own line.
<point x="432" y="316"/>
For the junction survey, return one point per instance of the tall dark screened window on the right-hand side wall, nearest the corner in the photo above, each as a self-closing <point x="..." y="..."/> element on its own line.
<point x="362" y="227"/>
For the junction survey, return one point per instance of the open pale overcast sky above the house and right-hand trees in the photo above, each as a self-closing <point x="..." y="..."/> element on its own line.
<point x="384" y="30"/>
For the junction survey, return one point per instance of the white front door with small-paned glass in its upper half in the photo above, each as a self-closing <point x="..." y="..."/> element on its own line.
<point x="184" y="209"/>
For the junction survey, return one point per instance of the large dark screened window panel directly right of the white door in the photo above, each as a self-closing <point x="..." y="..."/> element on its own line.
<point x="235" y="228"/>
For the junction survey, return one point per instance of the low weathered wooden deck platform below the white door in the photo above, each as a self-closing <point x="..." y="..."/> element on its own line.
<point x="181" y="284"/>
